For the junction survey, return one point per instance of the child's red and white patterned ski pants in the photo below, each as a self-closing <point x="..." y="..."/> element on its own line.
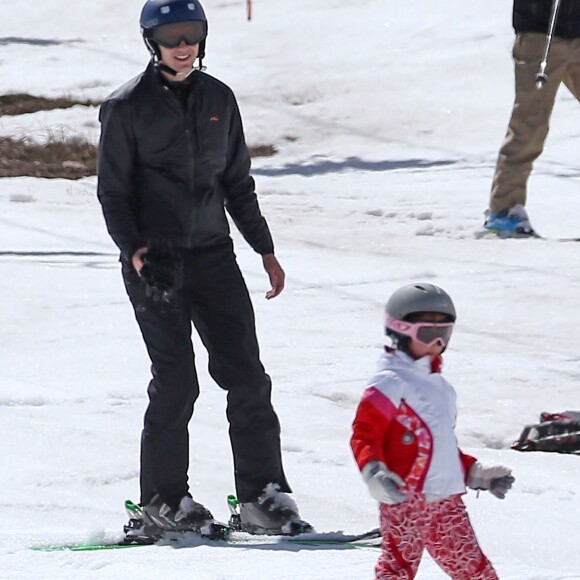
<point x="442" y="528"/>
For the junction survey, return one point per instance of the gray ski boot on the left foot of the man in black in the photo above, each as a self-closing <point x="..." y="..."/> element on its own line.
<point x="190" y="516"/>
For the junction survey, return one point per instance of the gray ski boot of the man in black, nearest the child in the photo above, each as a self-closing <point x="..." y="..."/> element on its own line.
<point x="274" y="513"/>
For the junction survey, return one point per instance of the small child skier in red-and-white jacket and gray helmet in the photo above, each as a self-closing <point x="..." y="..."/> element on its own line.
<point x="404" y="444"/>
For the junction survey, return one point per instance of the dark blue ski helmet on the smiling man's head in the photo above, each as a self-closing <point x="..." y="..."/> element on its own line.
<point x="158" y="12"/>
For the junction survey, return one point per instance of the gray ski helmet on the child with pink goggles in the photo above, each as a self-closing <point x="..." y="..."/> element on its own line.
<point x="412" y="299"/>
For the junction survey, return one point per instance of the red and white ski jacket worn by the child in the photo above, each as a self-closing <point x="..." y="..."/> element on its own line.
<point x="406" y="419"/>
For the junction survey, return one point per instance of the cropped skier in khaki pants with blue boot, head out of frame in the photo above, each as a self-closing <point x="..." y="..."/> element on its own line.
<point x="530" y="118"/>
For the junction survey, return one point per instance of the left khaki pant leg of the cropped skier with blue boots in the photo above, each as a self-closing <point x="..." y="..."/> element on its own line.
<point x="530" y="119"/>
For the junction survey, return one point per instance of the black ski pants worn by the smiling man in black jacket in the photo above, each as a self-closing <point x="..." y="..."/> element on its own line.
<point x="215" y="298"/>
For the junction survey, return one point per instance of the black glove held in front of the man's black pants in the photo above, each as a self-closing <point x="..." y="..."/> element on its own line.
<point x="162" y="271"/>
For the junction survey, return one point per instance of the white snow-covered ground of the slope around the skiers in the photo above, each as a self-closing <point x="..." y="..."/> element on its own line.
<point x="388" y="117"/>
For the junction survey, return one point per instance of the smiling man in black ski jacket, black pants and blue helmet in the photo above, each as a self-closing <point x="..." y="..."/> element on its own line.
<point x="172" y="158"/>
